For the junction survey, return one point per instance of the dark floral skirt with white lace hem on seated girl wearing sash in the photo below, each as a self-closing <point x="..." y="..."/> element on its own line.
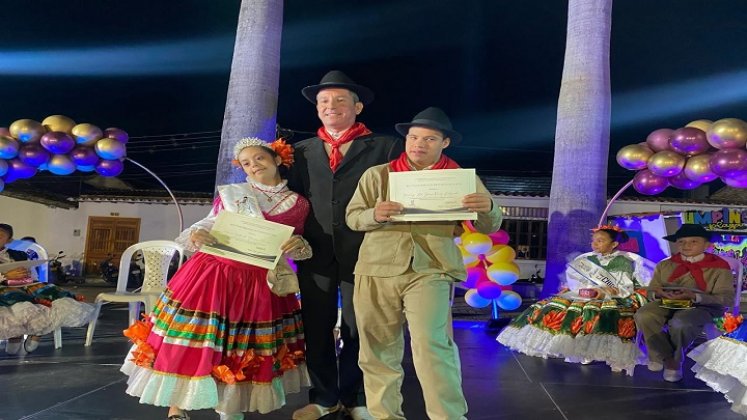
<point x="578" y="330"/>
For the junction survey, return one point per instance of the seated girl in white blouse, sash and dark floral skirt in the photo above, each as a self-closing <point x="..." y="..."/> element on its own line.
<point x="590" y="320"/>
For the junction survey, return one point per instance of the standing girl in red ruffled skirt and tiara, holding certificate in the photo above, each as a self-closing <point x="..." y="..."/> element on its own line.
<point x="219" y="337"/>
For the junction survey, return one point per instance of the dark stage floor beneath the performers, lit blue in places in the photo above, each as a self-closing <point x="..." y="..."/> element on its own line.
<point x="75" y="382"/>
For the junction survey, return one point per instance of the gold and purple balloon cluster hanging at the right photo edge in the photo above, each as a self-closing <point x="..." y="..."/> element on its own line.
<point x="688" y="157"/>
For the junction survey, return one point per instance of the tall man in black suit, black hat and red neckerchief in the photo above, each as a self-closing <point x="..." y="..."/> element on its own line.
<point x="326" y="171"/>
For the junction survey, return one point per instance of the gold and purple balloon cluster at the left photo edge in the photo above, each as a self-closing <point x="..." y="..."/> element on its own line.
<point x="60" y="146"/>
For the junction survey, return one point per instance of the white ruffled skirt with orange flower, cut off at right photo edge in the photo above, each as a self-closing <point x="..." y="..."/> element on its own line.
<point x="722" y="363"/>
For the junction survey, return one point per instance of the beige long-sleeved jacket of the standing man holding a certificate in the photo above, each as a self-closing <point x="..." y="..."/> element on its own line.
<point x="389" y="249"/>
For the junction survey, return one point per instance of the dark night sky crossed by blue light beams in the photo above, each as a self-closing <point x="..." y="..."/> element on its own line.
<point x="156" y="68"/>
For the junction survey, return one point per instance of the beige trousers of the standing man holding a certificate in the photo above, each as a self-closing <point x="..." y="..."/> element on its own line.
<point x="382" y="305"/>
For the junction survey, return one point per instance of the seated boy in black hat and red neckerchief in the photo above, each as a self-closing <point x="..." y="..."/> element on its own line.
<point x="700" y="284"/>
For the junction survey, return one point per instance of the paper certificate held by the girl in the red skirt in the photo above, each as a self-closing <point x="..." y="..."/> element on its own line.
<point x="248" y="239"/>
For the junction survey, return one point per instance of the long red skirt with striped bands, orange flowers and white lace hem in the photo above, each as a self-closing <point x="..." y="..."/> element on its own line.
<point x="218" y="338"/>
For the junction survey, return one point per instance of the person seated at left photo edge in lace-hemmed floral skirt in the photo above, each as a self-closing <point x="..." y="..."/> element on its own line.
<point x="32" y="308"/>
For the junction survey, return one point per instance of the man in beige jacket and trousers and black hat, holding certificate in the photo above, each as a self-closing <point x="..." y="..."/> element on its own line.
<point x="405" y="272"/>
